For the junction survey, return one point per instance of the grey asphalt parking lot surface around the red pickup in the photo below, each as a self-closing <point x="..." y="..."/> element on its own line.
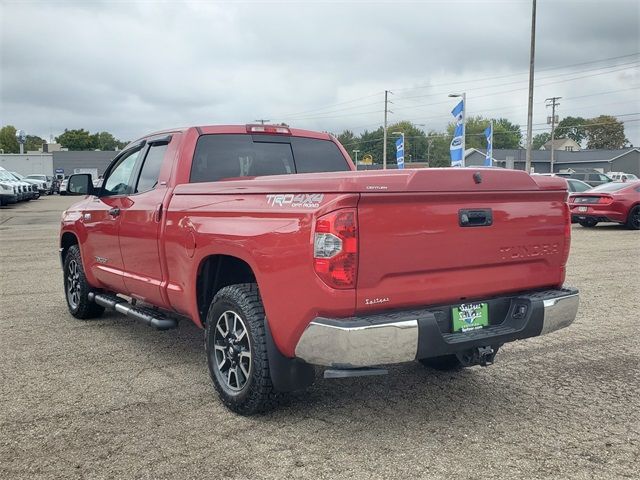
<point x="112" y="398"/>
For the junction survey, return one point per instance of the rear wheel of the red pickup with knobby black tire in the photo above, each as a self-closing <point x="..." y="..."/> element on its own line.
<point x="236" y="348"/>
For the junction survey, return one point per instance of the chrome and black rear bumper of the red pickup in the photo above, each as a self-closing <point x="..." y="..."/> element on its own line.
<point x="398" y="337"/>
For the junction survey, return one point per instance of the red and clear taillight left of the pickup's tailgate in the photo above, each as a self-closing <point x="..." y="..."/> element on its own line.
<point x="335" y="248"/>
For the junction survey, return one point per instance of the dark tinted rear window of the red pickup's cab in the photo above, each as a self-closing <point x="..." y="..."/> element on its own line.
<point x="224" y="156"/>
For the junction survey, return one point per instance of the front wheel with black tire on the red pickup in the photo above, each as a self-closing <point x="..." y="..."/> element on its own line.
<point x="77" y="289"/>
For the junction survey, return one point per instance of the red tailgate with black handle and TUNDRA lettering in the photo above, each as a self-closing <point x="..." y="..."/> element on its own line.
<point x="431" y="247"/>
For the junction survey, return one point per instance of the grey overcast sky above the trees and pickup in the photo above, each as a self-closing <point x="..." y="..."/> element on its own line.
<point x="132" y="68"/>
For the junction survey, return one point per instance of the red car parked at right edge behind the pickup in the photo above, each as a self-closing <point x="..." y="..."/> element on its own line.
<point x="611" y="202"/>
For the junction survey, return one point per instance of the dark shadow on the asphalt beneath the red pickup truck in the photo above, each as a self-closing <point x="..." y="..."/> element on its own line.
<point x="409" y="393"/>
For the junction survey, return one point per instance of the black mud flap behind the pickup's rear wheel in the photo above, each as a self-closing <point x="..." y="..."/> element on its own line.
<point x="287" y="374"/>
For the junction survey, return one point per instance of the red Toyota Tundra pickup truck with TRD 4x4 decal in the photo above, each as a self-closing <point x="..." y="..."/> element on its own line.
<point x="268" y="239"/>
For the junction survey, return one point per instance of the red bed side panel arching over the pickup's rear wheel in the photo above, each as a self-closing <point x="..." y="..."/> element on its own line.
<point x="276" y="241"/>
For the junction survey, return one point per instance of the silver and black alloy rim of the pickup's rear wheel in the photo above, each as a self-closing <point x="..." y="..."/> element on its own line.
<point x="232" y="350"/>
